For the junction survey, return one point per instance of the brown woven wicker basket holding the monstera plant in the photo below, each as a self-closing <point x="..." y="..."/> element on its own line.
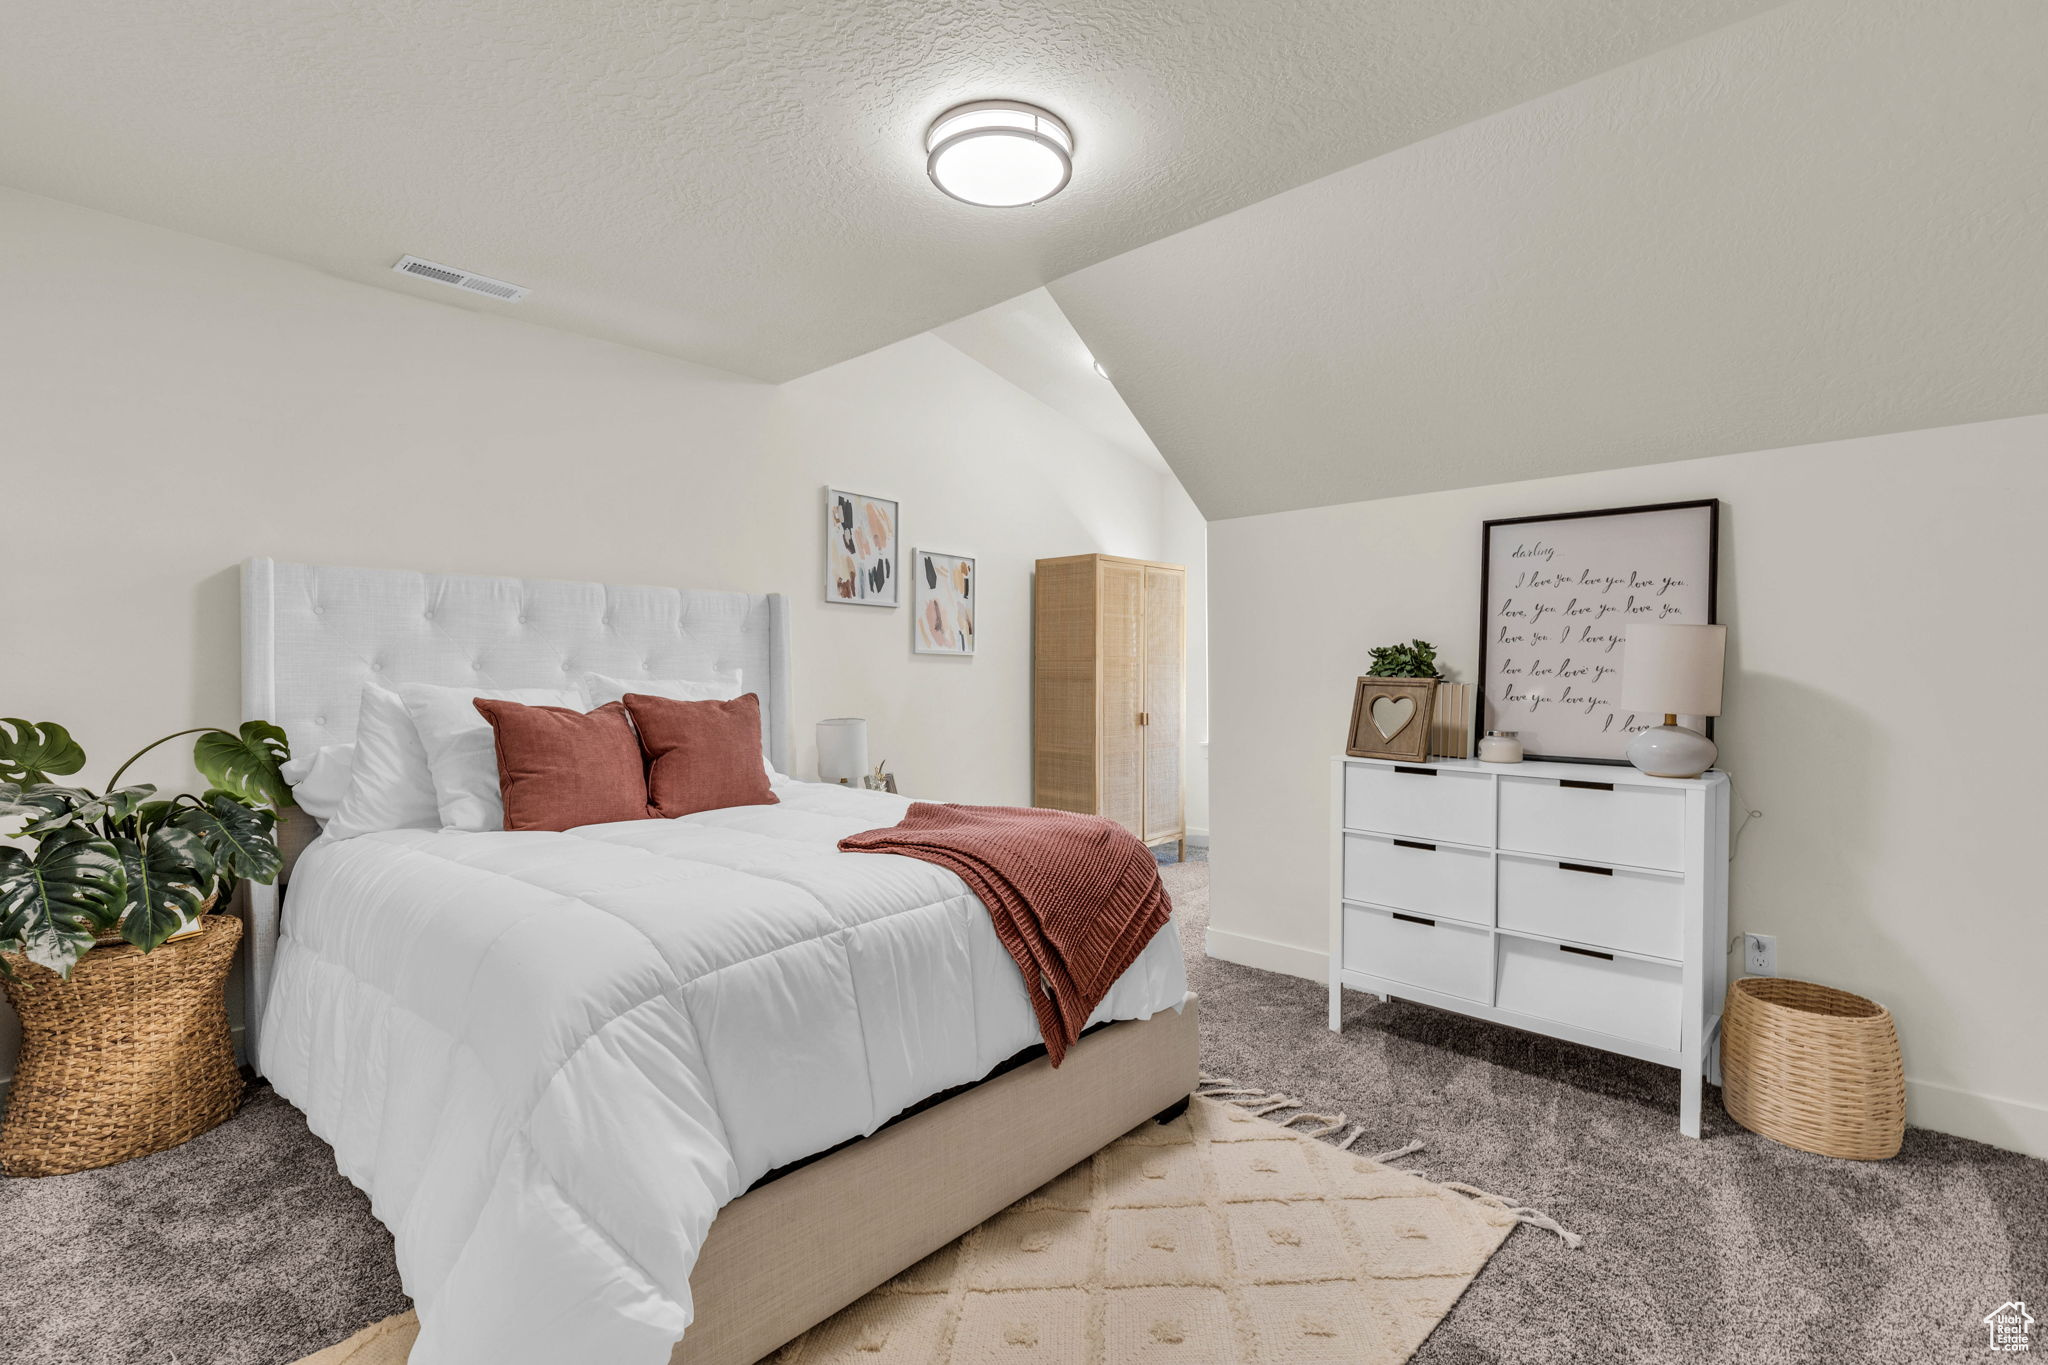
<point x="128" y="1057"/>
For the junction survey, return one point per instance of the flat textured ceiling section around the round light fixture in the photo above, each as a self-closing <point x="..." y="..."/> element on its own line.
<point x="742" y="183"/>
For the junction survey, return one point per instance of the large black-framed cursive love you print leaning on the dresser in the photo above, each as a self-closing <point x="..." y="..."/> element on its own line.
<point x="1555" y="597"/>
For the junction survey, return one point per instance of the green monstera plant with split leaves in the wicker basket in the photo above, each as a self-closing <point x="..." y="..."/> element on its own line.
<point x="128" y="863"/>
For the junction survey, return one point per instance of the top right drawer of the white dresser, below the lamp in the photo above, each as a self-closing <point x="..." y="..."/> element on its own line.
<point x="1594" y="822"/>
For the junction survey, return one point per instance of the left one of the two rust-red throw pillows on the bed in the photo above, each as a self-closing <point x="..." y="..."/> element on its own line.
<point x="562" y="768"/>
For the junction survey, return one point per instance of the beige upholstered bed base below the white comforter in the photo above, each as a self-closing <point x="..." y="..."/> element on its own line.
<point x="798" y="1249"/>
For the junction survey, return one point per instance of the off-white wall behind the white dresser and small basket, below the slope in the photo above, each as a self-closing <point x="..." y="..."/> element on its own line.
<point x="1883" y="680"/>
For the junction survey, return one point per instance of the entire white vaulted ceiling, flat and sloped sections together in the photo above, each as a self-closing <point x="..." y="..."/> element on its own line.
<point x="1326" y="249"/>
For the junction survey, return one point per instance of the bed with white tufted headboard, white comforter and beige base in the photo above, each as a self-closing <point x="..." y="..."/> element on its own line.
<point x="622" y="1082"/>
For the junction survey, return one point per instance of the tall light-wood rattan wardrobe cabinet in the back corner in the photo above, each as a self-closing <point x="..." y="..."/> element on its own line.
<point x="1111" y="693"/>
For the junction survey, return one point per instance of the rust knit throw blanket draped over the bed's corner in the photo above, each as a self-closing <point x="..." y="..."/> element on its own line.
<point x="1074" y="897"/>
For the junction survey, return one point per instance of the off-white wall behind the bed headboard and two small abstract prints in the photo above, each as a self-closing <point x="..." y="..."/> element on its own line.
<point x="173" y="406"/>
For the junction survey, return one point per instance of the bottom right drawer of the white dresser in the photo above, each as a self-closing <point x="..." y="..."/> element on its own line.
<point x="1621" y="998"/>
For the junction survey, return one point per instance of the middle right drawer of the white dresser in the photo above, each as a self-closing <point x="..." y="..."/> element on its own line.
<point x="1607" y="908"/>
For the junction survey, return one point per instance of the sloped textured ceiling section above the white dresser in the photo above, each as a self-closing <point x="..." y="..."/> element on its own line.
<point x="1818" y="224"/>
